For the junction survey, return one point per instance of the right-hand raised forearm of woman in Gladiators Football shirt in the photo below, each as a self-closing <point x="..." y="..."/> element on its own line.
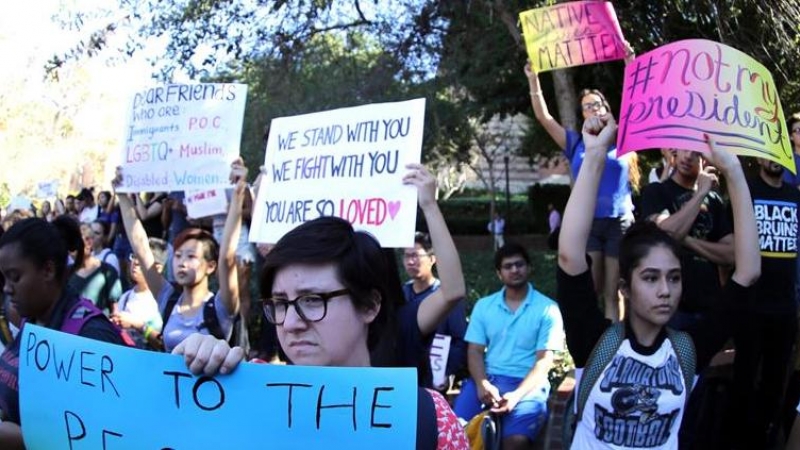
<point x="747" y="255"/>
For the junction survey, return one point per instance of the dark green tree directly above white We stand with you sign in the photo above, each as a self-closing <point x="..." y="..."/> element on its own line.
<point x="332" y="71"/>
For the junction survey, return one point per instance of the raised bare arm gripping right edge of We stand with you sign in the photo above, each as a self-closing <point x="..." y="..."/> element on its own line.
<point x="452" y="289"/>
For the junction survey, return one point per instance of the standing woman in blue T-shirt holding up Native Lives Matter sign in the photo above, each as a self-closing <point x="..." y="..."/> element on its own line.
<point x="613" y="212"/>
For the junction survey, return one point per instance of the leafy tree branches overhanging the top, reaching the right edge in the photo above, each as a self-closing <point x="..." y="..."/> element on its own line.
<point x="465" y="56"/>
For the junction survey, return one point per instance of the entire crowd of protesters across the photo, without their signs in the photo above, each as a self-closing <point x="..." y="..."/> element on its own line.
<point x="645" y="298"/>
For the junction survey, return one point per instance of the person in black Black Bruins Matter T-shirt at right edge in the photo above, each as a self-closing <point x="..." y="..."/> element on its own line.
<point x="764" y="337"/>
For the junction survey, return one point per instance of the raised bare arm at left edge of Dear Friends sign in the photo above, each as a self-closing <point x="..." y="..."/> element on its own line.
<point x="138" y="239"/>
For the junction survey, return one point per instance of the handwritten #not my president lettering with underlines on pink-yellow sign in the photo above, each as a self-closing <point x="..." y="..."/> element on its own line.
<point x="714" y="91"/>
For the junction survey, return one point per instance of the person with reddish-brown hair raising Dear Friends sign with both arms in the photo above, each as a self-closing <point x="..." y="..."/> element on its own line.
<point x="188" y="305"/>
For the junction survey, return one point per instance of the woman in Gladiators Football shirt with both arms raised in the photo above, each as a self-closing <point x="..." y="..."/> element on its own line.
<point x="633" y="379"/>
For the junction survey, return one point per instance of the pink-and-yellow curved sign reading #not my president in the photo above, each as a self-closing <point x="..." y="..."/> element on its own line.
<point x="675" y="94"/>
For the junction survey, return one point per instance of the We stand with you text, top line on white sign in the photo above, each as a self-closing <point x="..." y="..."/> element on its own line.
<point x="366" y="131"/>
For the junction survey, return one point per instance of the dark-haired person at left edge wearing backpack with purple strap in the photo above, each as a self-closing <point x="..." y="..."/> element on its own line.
<point x="33" y="260"/>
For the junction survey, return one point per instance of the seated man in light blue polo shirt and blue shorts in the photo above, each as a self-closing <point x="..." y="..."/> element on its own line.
<point x="511" y="338"/>
